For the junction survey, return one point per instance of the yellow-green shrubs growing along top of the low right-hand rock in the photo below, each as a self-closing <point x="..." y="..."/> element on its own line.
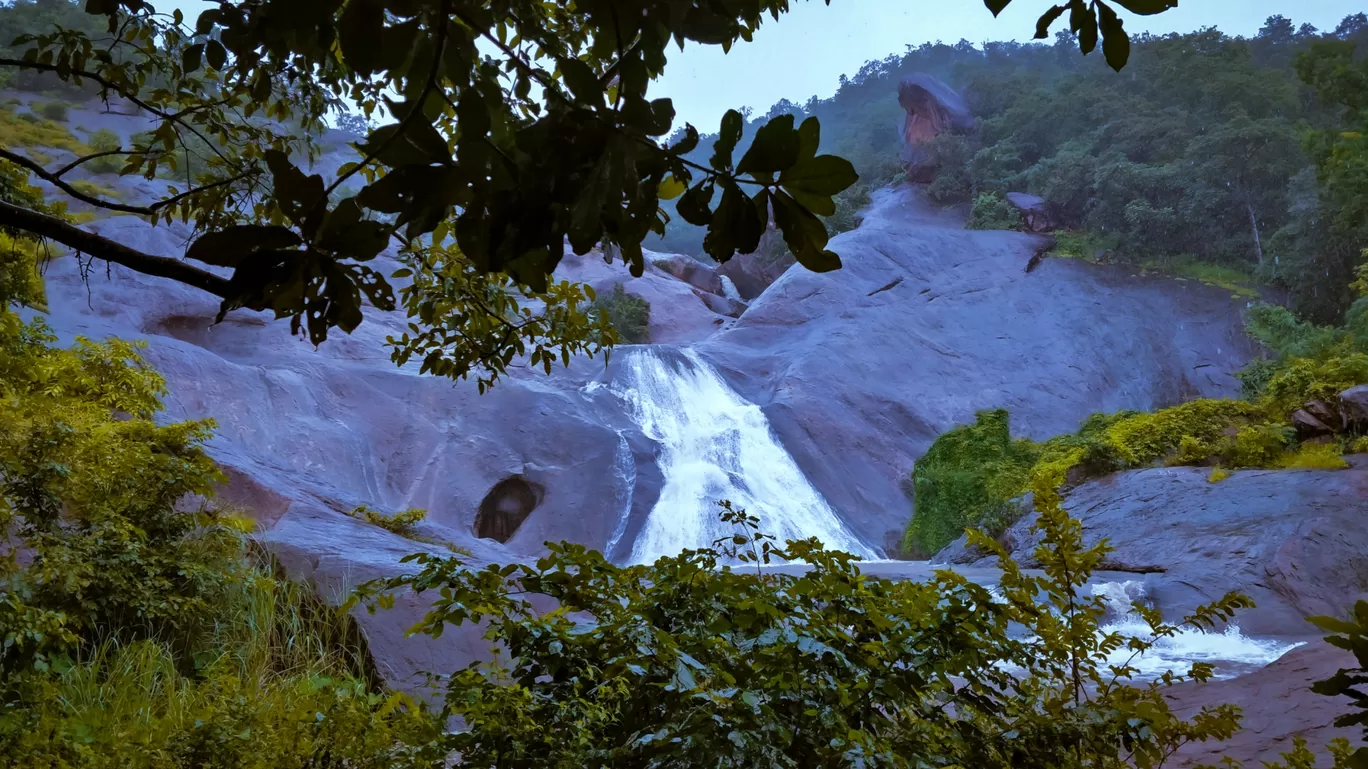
<point x="972" y="474"/>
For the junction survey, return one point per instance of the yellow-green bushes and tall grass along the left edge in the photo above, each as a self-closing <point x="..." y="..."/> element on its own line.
<point x="140" y="630"/>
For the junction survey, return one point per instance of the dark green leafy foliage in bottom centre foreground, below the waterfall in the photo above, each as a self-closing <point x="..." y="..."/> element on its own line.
<point x="694" y="662"/>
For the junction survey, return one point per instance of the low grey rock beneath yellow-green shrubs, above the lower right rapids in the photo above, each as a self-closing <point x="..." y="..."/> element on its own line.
<point x="1289" y="540"/>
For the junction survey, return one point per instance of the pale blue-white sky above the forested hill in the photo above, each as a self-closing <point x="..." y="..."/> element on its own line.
<point x="808" y="51"/>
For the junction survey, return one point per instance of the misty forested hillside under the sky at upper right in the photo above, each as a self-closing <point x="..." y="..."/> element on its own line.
<point x="1207" y="153"/>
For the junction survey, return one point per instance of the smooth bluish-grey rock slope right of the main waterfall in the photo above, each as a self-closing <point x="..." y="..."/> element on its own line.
<point x="861" y="369"/>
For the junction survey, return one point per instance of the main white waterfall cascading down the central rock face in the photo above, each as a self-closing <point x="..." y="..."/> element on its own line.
<point x="715" y="445"/>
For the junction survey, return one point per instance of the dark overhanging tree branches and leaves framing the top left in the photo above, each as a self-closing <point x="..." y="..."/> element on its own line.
<point x="510" y="129"/>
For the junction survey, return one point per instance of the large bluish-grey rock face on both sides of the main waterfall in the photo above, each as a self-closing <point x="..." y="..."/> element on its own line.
<point x="857" y="372"/>
